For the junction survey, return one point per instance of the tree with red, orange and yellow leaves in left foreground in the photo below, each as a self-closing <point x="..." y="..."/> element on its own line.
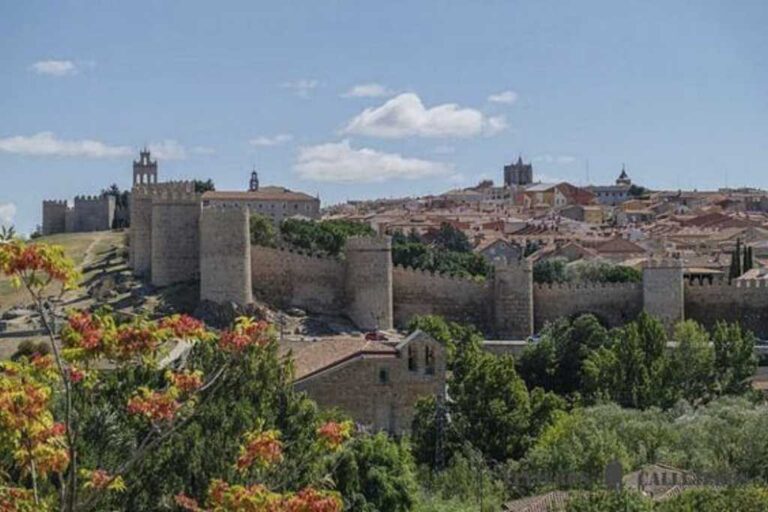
<point x="38" y="428"/>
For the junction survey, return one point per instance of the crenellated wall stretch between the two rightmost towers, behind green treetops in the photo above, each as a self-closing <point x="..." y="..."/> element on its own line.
<point x="613" y="304"/>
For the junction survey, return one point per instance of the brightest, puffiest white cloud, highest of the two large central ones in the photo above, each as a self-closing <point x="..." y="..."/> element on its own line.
<point x="405" y="116"/>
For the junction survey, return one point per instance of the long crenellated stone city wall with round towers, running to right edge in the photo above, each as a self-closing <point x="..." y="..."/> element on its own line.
<point x="176" y="239"/>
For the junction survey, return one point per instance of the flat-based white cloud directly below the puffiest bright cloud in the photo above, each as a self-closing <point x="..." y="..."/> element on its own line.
<point x="339" y="162"/>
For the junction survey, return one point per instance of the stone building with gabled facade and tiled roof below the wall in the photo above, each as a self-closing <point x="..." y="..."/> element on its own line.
<point x="376" y="381"/>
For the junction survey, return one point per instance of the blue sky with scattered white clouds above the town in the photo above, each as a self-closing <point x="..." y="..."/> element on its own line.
<point x="355" y="99"/>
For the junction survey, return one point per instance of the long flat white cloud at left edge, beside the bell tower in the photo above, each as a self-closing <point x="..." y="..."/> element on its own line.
<point x="47" y="144"/>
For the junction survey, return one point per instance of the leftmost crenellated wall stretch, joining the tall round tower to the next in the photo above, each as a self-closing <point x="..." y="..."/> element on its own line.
<point x="291" y="278"/>
